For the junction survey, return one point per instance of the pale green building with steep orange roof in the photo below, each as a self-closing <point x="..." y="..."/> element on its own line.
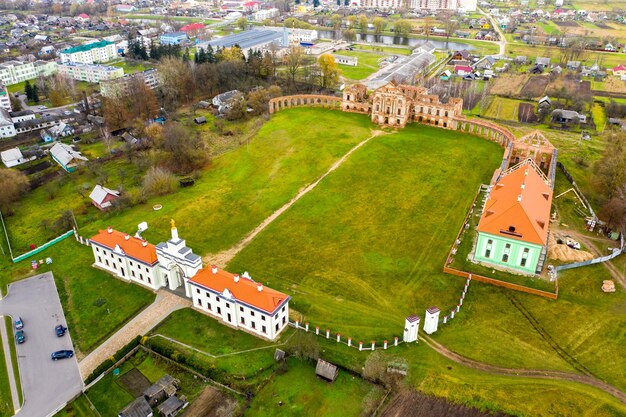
<point x="513" y="228"/>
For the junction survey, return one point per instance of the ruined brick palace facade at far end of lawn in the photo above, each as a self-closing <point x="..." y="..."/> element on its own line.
<point x="396" y="105"/>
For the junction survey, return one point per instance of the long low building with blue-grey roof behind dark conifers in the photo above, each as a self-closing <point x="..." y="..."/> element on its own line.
<point x="255" y="39"/>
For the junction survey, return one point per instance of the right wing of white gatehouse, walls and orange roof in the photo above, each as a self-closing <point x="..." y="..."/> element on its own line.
<point x="240" y="302"/>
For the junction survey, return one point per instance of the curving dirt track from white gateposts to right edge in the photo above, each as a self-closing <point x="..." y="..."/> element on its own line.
<point x="528" y="373"/>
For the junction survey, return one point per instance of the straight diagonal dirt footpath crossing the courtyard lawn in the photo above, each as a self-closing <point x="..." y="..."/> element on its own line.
<point x="221" y="259"/>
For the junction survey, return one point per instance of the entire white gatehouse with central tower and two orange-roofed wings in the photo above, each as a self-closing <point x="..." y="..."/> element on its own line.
<point x="238" y="301"/>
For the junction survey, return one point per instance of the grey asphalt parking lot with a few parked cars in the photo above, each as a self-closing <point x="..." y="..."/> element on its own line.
<point x="46" y="384"/>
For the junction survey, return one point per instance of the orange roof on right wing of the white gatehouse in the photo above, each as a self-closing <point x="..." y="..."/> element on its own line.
<point x="244" y="290"/>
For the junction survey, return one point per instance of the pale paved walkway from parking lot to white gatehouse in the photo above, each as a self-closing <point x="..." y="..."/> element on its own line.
<point x="164" y="304"/>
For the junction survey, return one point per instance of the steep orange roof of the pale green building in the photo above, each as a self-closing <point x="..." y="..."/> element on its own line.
<point x="518" y="206"/>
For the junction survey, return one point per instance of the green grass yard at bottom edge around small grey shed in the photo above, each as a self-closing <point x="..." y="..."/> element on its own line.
<point x="304" y="394"/>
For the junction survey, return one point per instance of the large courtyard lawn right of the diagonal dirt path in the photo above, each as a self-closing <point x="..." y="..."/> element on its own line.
<point x="382" y="239"/>
